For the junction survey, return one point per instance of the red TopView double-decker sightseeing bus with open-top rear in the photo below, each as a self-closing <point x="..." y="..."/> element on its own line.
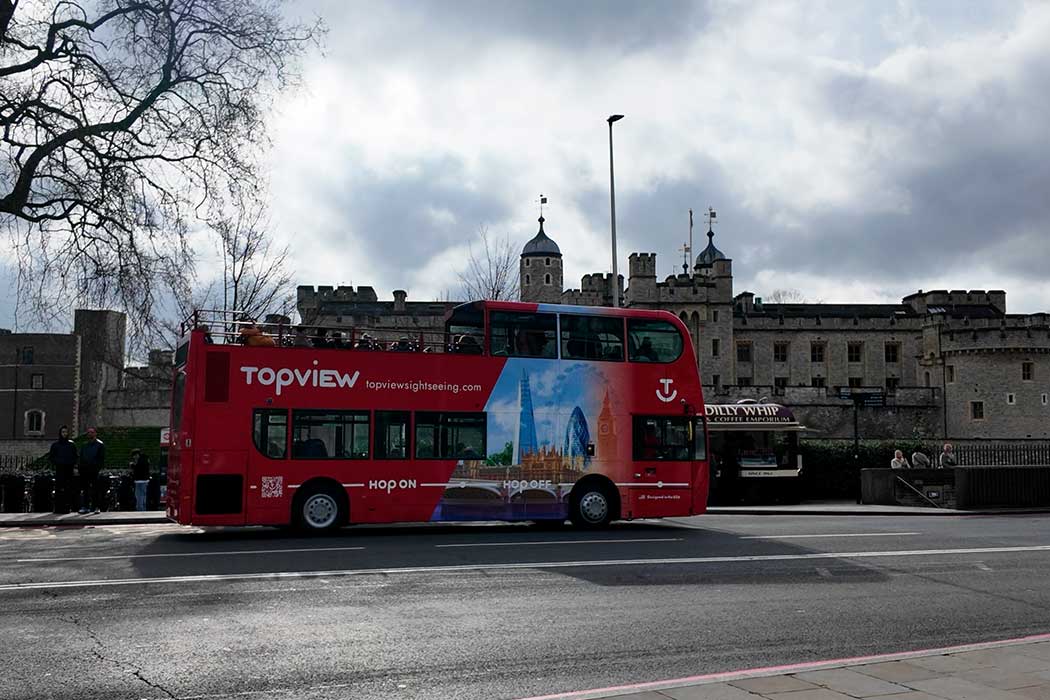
<point x="515" y="412"/>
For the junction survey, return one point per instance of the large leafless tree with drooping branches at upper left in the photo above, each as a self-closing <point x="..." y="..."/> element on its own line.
<point x="120" y="122"/>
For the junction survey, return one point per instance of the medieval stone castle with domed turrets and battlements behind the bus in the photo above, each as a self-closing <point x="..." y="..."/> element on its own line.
<point x="950" y="365"/>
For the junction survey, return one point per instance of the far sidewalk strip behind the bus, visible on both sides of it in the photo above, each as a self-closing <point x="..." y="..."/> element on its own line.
<point x="814" y="508"/>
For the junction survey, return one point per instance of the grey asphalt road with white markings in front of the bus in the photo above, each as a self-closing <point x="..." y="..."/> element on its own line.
<point x="497" y="611"/>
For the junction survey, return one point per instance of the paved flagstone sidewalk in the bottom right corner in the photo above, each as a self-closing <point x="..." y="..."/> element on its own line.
<point x="1011" y="670"/>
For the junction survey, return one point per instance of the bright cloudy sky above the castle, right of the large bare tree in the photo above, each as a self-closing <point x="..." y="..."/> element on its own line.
<point x="856" y="152"/>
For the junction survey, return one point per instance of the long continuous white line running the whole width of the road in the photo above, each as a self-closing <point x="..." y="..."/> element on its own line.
<point x="522" y="566"/>
